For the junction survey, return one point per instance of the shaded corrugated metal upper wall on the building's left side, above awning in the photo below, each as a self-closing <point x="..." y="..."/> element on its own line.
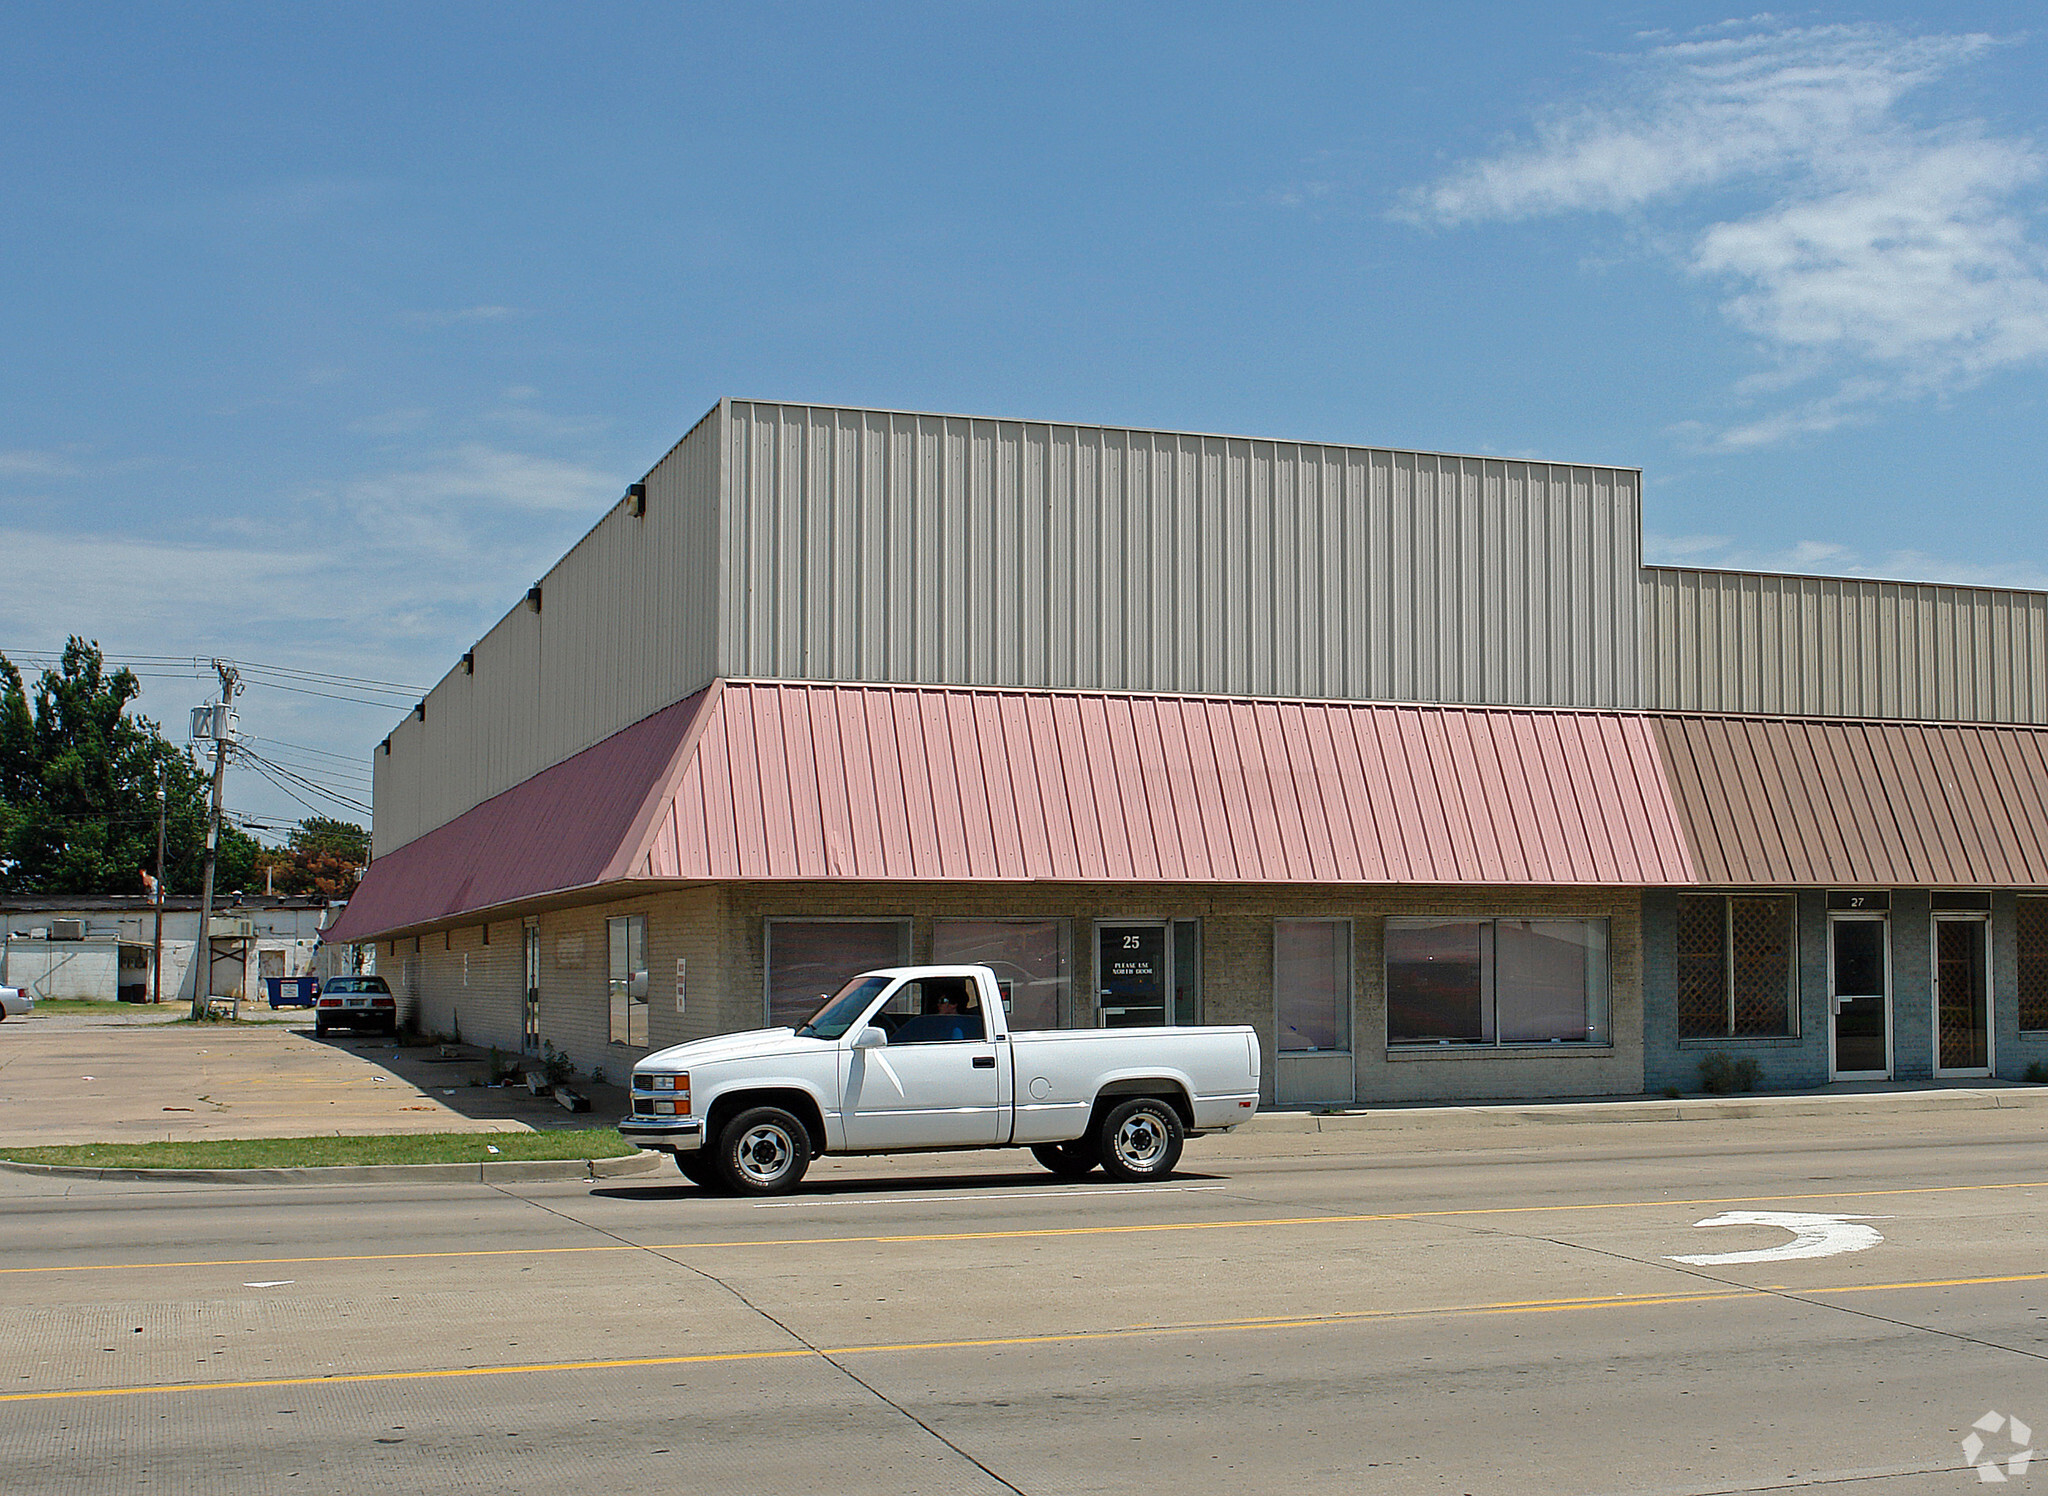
<point x="628" y="626"/>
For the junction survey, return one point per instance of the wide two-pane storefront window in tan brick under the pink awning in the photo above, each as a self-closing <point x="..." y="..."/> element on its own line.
<point x="1496" y="983"/>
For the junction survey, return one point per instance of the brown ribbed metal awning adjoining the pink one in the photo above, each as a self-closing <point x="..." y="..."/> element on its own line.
<point x="1861" y="804"/>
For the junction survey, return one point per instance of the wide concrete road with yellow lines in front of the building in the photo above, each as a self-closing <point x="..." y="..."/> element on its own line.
<point x="1455" y="1311"/>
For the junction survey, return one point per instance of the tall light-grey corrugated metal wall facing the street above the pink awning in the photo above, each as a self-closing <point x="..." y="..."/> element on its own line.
<point x="880" y="546"/>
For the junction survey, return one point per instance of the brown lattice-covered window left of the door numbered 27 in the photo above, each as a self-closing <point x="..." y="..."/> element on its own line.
<point x="1736" y="968"/>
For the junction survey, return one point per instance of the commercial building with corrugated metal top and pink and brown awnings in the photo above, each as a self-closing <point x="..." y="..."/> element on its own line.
<point x="1404" y="759"/>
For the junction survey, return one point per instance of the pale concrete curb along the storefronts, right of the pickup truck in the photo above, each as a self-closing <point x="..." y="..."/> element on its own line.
<point x="1398" y="1118"/>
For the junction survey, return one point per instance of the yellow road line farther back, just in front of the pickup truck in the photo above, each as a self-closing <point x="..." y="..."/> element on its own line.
<point x="1015" y="1235"/>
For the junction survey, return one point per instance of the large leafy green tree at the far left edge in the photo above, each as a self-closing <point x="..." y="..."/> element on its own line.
<point x="79" y="778"/>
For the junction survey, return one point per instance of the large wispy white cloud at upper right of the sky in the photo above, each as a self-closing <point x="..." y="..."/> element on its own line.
<point x="1881" y="257"/>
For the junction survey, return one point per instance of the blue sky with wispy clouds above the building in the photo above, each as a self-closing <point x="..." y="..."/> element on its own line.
<point x="327" y="329"/>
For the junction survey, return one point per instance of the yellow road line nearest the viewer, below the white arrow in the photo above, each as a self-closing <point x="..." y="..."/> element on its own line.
<point x="996" y="1343"/>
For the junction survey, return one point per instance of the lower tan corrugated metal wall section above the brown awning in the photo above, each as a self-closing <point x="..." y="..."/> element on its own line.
<point x="1842" y="647"/>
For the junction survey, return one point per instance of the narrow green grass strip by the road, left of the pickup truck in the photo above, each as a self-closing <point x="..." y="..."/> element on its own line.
<point x="321" y="1153"/>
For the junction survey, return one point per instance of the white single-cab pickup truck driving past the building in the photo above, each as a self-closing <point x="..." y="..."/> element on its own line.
<point x="921" y="1058"/>
